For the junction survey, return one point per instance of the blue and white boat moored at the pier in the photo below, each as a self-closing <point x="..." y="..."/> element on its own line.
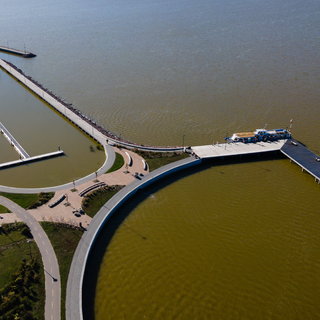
<point x="259" y="135"/>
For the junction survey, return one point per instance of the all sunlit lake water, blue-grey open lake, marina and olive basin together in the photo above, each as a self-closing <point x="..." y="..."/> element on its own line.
<point x="237" y="241"/>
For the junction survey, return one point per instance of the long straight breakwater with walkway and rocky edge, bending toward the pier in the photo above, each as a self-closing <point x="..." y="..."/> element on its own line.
<point x="82" y="121"/>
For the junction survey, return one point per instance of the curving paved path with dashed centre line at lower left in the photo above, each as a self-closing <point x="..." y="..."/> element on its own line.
<point x="49" y="259"/>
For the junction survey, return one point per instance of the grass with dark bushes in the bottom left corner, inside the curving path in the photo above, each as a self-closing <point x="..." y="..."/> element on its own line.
<point x="21" y="275"/>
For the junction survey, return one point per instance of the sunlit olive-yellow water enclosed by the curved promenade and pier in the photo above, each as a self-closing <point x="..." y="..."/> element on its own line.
<point x="231" y="242"/>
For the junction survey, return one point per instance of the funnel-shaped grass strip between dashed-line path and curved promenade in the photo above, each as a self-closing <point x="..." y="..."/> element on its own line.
<point x="64" y="241"/>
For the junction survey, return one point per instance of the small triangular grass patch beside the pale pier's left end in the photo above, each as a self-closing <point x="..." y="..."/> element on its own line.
<point x="156" y="160"/>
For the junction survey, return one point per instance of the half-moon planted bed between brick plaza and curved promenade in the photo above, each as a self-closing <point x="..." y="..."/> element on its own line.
<point x="94" y="200"/>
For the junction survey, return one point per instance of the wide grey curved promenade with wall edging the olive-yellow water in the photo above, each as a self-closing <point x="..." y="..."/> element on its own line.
<point x="78" y="265"/>
